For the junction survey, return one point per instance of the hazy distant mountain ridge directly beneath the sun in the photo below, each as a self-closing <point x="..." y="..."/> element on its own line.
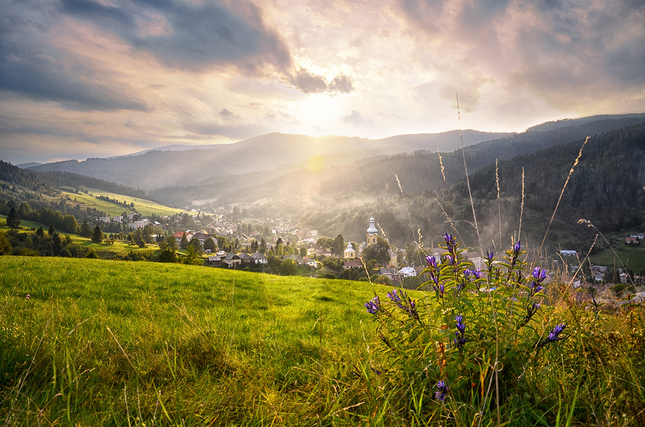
<point x="158" y="169"/>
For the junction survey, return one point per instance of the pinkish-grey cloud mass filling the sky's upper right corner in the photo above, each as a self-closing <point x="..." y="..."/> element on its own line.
<point x="565" y="53"/>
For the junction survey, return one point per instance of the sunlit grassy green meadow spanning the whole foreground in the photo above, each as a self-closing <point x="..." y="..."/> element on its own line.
<point x="102" y="342"/>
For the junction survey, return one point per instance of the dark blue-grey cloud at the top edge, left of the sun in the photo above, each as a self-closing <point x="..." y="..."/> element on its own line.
<point x="200" y="35"/>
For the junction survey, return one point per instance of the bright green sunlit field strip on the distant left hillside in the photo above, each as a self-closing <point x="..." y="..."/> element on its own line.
<point x="143" y="206"/>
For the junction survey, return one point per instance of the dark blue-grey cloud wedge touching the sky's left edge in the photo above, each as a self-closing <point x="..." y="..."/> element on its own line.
<point x="42" y="73"/>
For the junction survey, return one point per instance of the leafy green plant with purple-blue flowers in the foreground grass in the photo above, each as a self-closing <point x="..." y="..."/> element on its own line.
<point x="427" y="339"/>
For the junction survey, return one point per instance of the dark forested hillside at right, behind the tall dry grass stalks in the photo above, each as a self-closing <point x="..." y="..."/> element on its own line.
<point x="606" y="186"/>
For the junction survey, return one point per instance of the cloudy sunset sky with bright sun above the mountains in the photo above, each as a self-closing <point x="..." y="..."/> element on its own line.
<point x="98" y="78"/>
